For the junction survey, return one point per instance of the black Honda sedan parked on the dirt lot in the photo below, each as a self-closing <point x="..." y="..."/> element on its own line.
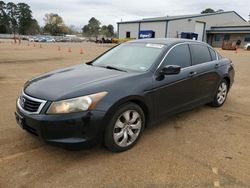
<point x="118" y="94"/>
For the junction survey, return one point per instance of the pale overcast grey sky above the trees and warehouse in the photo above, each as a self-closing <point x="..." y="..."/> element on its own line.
<point x="78" y="12"/>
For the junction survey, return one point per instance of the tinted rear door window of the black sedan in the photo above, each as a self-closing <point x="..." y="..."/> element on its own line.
<point x="200" y="54"/>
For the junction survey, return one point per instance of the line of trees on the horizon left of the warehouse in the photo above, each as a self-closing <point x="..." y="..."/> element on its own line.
<point x="18" y="19"/>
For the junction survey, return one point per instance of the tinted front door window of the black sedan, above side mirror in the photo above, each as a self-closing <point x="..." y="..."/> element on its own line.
<point x="179" y="55"/>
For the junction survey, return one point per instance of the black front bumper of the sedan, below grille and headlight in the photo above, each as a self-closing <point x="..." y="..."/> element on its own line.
<point x="76" y="129"/>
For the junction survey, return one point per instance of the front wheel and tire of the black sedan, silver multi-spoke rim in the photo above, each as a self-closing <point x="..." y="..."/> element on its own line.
<point x="124" y="128"/>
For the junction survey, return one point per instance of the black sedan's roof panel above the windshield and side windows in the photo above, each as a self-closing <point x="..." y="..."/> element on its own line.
<point x="165" y="41"/>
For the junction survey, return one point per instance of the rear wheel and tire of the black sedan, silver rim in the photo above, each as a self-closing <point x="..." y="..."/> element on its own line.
<point x="221" y="94"/>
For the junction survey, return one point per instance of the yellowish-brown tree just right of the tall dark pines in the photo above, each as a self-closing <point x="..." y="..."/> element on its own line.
<point x="54" y="24"/>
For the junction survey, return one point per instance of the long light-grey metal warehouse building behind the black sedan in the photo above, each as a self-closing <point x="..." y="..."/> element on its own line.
<point x="200" y="26"/>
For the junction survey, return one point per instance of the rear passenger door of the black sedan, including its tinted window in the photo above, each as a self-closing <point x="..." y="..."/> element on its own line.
<point x="205" y="67"/>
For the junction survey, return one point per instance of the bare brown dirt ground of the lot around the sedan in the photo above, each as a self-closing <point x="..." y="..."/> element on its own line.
<point x="206" y="147"/>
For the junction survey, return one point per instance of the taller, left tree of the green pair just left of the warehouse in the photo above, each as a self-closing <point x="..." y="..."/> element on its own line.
<point x="93" y="28"/>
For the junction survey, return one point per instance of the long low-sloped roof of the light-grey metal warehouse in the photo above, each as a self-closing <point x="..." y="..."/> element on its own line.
<point x="169" y="18"/>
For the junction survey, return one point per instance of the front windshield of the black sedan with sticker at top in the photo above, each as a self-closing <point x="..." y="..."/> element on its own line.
<point x="131" y="56"/>
